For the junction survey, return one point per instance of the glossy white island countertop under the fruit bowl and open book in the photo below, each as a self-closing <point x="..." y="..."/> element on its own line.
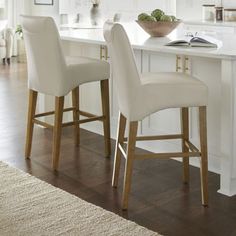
<point x="140" y="40"/>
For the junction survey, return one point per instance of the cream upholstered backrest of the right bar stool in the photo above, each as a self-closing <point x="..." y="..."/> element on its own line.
<point x="124" y="68"/>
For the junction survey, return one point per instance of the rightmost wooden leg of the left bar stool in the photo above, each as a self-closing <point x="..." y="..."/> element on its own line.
<point x="106" y="114"/>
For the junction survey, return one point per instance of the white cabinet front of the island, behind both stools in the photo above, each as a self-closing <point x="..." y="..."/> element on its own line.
<point x="166" y="121"/>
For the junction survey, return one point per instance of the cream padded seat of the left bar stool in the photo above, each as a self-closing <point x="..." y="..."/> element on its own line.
<point x="83" y="70"/>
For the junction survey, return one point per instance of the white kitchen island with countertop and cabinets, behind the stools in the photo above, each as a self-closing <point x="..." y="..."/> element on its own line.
<point x="216" y="67"/>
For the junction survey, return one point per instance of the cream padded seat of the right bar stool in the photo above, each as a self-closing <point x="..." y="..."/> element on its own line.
<point x="158" y="91"/>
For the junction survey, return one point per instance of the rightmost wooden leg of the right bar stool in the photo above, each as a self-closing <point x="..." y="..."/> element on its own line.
<point x="204" y="155"/>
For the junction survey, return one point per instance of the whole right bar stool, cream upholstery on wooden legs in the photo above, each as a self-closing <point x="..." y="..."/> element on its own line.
<point x="142" y="95"/>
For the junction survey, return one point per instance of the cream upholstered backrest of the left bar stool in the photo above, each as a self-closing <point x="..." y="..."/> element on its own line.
<point x="45" y="59"/>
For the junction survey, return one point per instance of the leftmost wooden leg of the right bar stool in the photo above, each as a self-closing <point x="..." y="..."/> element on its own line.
<point x="119" y="140"/>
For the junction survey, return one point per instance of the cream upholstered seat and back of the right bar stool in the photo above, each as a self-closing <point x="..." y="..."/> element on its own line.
<point x="141" y="95"/>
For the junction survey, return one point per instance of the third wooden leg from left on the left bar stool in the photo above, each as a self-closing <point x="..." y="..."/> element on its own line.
<point x="75" y="103"/>
